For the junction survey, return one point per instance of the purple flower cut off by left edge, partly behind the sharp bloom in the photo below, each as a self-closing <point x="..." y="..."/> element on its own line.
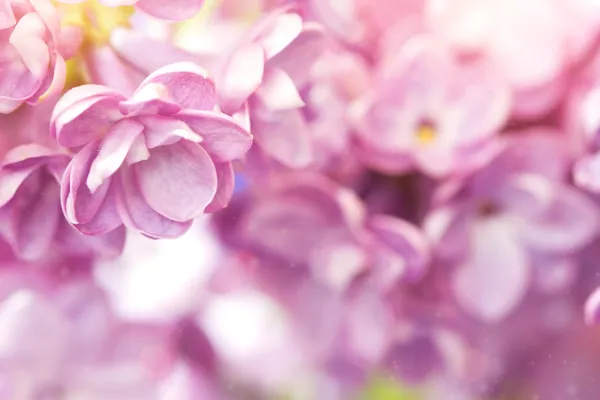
<point x="30" y="216"/>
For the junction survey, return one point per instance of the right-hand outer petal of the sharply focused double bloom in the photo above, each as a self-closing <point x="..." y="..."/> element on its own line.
<point x="222" y="137"/>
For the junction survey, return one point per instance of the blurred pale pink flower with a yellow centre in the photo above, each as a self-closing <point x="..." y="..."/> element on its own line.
<point x="429" y="111"/>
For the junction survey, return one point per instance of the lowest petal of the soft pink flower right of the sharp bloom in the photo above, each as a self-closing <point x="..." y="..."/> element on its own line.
<point x="285" y="137"/>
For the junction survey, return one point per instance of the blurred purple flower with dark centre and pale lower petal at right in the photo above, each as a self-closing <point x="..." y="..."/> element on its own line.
<point x="509" y="222"/>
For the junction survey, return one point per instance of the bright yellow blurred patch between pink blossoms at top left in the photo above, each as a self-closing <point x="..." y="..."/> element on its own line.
<point x="97" y="21"/>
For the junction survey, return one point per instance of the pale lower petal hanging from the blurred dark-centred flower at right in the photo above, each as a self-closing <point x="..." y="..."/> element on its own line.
<point x="495" y="276"/>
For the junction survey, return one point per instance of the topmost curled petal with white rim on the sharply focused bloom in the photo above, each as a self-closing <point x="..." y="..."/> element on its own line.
<point x="186" y="85"/>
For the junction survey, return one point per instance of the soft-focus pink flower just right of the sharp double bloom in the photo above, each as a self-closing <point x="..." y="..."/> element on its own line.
<point x="265" y="72"/>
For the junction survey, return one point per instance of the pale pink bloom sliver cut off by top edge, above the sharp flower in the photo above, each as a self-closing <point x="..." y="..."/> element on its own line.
<point x="166" y="9"/>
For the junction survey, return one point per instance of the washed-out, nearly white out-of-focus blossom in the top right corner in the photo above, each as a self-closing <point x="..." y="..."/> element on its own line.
<point x="535" y="44"/>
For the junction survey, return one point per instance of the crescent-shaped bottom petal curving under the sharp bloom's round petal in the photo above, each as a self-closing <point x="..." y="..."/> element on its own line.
<point x="137" y="214"/>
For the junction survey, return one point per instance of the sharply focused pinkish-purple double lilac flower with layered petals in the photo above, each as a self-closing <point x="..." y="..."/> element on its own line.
<point x="153" y="162"/>
